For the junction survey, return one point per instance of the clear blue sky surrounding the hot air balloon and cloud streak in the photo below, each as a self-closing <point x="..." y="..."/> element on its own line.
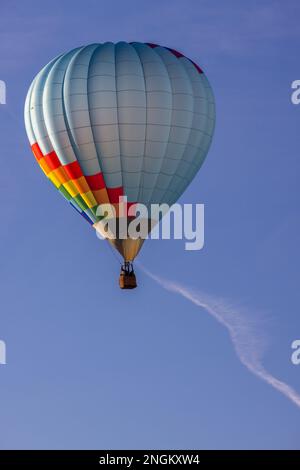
<point x="90" y="366"/>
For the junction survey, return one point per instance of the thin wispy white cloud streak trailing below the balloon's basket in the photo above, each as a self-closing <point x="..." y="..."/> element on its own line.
<point x="248" y="343"/>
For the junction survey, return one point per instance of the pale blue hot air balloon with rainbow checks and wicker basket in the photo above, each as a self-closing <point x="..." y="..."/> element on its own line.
<point x="126" y="119"/>
